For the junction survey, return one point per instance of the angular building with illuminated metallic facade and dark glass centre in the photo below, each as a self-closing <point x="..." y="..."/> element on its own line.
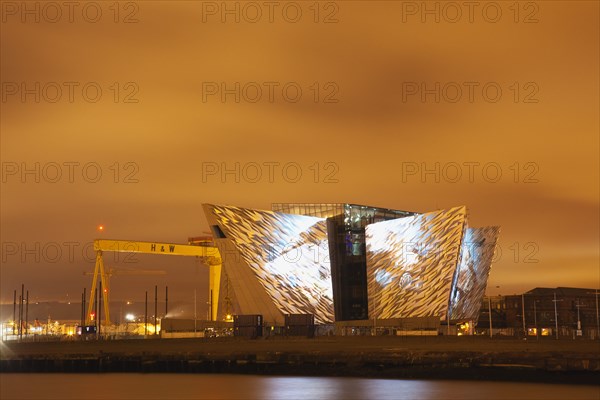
<point x="345" y="262"/>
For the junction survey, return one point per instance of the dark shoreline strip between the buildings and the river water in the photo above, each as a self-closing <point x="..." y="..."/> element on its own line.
<point x="576" y="362"/>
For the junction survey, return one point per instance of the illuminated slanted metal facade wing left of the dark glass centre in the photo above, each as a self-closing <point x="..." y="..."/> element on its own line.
<point x="287" y="255"/>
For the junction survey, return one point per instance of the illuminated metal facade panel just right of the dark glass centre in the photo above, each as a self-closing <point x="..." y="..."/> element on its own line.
<point x="411" y="262"/>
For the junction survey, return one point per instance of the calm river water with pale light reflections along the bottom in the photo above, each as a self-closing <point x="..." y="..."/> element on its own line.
<point x="223" y="386"/>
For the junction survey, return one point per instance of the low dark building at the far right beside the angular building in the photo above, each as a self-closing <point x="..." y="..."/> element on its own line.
<point x="573" y="310"/>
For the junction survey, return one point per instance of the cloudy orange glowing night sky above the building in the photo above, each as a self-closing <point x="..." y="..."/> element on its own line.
<point x="542" y="134"/>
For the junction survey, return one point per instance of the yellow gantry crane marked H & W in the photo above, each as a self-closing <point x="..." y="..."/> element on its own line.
<point x="203" y="249"/>
